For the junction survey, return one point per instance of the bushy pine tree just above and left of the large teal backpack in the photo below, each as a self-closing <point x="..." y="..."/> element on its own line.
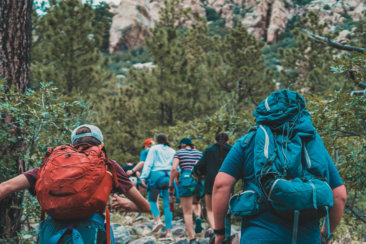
<point x="247" y="78"/>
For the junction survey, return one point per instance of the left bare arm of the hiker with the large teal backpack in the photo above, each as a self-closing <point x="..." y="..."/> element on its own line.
<point x="220" y="200"/>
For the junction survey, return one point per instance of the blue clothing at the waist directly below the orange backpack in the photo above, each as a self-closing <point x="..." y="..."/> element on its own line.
<point x="89" y="230"/>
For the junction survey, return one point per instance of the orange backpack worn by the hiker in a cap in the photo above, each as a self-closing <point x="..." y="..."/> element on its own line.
<point x="74" y="182"/>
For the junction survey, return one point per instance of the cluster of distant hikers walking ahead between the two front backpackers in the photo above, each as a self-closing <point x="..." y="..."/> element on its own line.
<point x="160" y="165"/>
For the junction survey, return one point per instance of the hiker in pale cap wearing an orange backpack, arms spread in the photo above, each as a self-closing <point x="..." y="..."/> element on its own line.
<point x="68" y="227"/>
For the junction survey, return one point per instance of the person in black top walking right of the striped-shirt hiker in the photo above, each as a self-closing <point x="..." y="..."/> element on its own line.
<point x="208" y="167"/>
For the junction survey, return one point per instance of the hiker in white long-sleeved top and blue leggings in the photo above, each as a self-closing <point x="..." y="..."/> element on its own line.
<point x="157" y="170"/>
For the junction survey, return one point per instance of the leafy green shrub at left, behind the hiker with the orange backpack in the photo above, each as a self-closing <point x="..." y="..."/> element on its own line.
<point x="45" y="119"/>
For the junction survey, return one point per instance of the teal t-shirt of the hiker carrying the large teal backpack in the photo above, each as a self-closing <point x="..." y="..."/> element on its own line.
<point x="268" y="227"/>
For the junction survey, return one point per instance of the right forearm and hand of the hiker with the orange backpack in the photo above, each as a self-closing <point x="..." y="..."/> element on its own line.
<point x="133" y="202"/>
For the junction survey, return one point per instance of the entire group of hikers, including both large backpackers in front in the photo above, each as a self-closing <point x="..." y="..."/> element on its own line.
<point x="290" y="182"/>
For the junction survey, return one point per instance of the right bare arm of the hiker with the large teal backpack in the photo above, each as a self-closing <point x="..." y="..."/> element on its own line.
<point x="336" y="213"/>
